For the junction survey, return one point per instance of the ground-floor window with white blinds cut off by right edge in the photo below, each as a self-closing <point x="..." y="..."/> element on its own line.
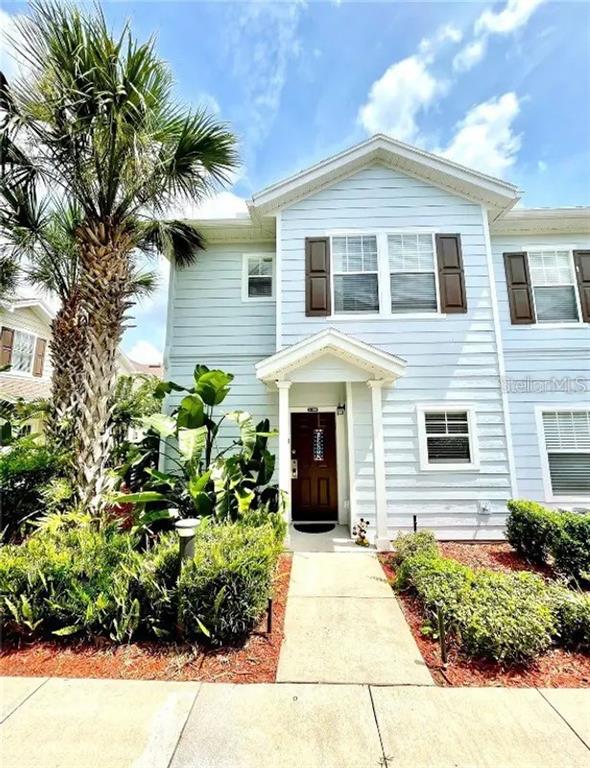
<point x="567" y="443"/>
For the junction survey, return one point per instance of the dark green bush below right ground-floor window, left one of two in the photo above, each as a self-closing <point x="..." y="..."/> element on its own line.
<point x="531" y="528"/>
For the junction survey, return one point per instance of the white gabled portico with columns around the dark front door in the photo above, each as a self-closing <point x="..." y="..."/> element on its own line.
<point x="332" y="373"/>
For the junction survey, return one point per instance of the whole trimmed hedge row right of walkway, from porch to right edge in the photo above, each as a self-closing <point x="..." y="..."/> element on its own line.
<point x="506" y="617"/>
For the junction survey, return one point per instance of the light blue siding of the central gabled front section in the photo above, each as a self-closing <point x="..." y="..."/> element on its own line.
<point x="452" y="359"/>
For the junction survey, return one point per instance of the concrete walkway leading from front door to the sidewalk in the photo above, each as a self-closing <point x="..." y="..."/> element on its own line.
<point x="344" y="625"/>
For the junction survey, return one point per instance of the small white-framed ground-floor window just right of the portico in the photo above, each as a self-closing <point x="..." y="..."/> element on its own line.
<point x="447" y="439"/>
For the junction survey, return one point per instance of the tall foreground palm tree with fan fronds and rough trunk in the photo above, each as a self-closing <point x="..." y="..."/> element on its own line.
<point x="106" y="133"/>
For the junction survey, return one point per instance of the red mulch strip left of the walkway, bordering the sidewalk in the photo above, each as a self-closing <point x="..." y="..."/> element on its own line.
<point x="254" y="662"/>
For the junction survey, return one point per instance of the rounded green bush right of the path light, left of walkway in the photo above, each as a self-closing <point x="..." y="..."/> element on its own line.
<point x="224" y="591"/>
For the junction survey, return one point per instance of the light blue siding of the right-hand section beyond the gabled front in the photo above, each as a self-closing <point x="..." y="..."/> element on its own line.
<point x="543" y="365"/>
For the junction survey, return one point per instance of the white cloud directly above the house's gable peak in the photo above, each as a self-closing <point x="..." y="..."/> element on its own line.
<point x="396" y="99"/>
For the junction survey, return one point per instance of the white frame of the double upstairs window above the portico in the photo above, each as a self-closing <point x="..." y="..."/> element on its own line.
<point x="383" y="275"/>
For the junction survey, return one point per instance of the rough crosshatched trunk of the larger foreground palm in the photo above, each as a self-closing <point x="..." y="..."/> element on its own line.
<point x="104" y="256"/>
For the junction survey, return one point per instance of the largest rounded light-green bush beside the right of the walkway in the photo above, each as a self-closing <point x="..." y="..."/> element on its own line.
<point x="502" y="617"/>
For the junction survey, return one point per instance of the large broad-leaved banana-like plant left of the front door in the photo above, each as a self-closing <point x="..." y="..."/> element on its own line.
<point x="202" y="481"/>
